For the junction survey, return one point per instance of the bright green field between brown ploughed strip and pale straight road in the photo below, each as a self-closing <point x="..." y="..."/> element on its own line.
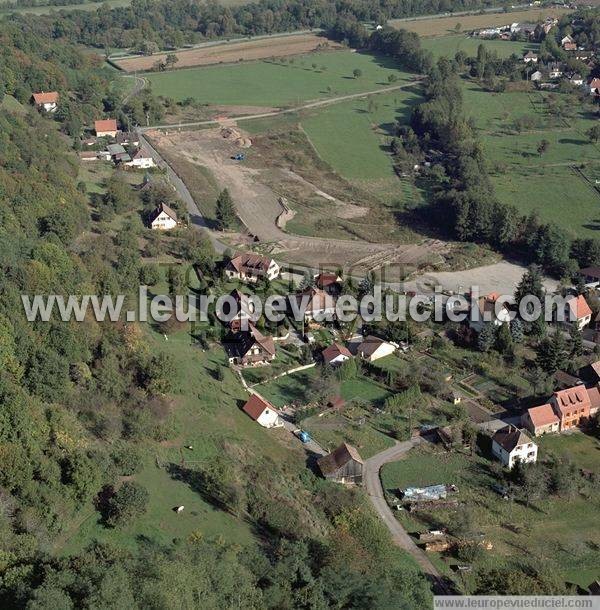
<point x="273" y="83"/>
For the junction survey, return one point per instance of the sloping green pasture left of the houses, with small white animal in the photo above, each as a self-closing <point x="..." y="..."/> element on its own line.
<point x="206" y="413"/>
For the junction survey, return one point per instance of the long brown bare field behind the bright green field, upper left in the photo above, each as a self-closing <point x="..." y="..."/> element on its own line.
<point x="233" y="52"/>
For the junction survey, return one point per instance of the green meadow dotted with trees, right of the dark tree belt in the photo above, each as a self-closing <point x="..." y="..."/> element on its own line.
<point x="554" y="184"/>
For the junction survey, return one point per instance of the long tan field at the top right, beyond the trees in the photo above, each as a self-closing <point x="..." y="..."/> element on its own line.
<point x="441" y="26"/>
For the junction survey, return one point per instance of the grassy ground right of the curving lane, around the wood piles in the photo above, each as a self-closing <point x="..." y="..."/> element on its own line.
<point x="560" y="533"/>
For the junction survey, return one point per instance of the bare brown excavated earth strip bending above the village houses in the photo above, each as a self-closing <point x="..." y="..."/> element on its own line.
<point x="258" y="207"/>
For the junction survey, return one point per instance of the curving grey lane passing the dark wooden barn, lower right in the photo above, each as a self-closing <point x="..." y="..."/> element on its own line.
<point x="372" y="483"/>
